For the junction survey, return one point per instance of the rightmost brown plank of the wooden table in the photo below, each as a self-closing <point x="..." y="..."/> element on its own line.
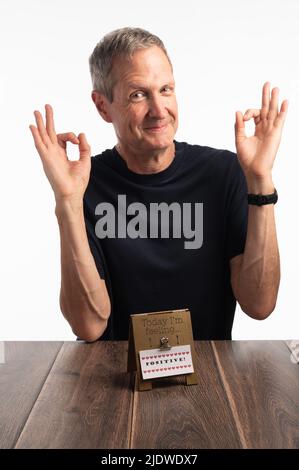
<point x="262" y="384"/>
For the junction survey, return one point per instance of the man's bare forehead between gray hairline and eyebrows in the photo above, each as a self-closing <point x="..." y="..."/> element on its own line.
<point x="145" y="67"/>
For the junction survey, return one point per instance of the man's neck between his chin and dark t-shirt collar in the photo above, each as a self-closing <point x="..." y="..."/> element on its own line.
<point x="146" y="162"/>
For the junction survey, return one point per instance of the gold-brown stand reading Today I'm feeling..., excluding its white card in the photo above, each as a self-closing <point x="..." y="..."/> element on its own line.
<point x="143" y="338"/>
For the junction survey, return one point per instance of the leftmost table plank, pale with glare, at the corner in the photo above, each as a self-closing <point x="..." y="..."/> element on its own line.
<point x="22" y="376"/>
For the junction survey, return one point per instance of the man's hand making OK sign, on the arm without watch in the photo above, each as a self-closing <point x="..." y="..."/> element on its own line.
<point x="68" y="178"/>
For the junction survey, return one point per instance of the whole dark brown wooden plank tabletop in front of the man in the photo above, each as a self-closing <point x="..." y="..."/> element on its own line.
<point x="77" y="395"/>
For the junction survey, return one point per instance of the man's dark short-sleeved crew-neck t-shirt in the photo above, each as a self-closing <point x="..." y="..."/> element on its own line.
<point x="171" y="250"/>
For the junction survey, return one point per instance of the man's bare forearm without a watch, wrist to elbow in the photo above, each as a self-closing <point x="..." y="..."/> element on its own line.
<point x="84" y="299"/>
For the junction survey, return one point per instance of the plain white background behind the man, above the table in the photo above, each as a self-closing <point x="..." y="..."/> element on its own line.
<point x="222" y="52"/>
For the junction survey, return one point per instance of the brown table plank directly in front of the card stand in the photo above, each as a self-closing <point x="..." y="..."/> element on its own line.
<point x="173" y="415"/>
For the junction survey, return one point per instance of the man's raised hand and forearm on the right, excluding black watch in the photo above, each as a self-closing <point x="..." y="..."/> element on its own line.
<point x="255" y="275"/>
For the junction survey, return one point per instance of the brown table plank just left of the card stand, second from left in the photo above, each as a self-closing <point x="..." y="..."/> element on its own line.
<point x="86" y="401"/>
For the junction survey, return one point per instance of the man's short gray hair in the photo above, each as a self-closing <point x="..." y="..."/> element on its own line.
<point x="118" y="43"/>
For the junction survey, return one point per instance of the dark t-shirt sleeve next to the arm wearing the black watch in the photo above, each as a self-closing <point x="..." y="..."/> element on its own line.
<point x="237" y="211"/>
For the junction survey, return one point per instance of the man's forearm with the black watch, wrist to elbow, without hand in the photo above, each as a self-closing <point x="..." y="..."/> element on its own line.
<point x="259" y="273"/>
